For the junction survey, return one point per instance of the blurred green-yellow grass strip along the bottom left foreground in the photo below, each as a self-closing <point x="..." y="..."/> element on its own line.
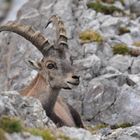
<point x="13" y="124"/>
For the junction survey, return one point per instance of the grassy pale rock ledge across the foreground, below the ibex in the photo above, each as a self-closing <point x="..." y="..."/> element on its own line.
<point x="23" y="118"/>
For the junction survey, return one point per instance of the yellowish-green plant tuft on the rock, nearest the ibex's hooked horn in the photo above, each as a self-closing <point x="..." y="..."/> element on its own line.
<point x="90" y="36"/>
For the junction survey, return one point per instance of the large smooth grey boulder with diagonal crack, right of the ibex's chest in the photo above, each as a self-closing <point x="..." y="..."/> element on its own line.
<point x="107" y="103"/>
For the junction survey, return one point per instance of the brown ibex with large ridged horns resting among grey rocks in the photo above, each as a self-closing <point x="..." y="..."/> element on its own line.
<point x="55" y="72"/>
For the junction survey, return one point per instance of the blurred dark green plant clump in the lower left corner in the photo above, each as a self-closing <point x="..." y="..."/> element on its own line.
<point x="10" y="124"/>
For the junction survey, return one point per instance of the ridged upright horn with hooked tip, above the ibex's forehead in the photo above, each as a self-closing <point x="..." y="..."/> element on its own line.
<point x="60" y="30"/>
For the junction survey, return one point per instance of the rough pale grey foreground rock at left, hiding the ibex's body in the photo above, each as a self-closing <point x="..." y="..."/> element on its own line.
<point x="27" y="108"/>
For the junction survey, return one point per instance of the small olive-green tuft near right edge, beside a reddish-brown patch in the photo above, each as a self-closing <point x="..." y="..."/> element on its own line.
<point x="120" y="49"/>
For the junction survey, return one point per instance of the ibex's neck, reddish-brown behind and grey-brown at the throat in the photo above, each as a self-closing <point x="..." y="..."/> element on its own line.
<point x="40" y="89"/>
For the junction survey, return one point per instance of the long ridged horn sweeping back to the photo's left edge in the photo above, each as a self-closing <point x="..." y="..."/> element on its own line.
<point x="35" y="37"/>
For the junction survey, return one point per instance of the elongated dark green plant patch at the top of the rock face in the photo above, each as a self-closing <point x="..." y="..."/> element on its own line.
<point x="106" y="9"/>
